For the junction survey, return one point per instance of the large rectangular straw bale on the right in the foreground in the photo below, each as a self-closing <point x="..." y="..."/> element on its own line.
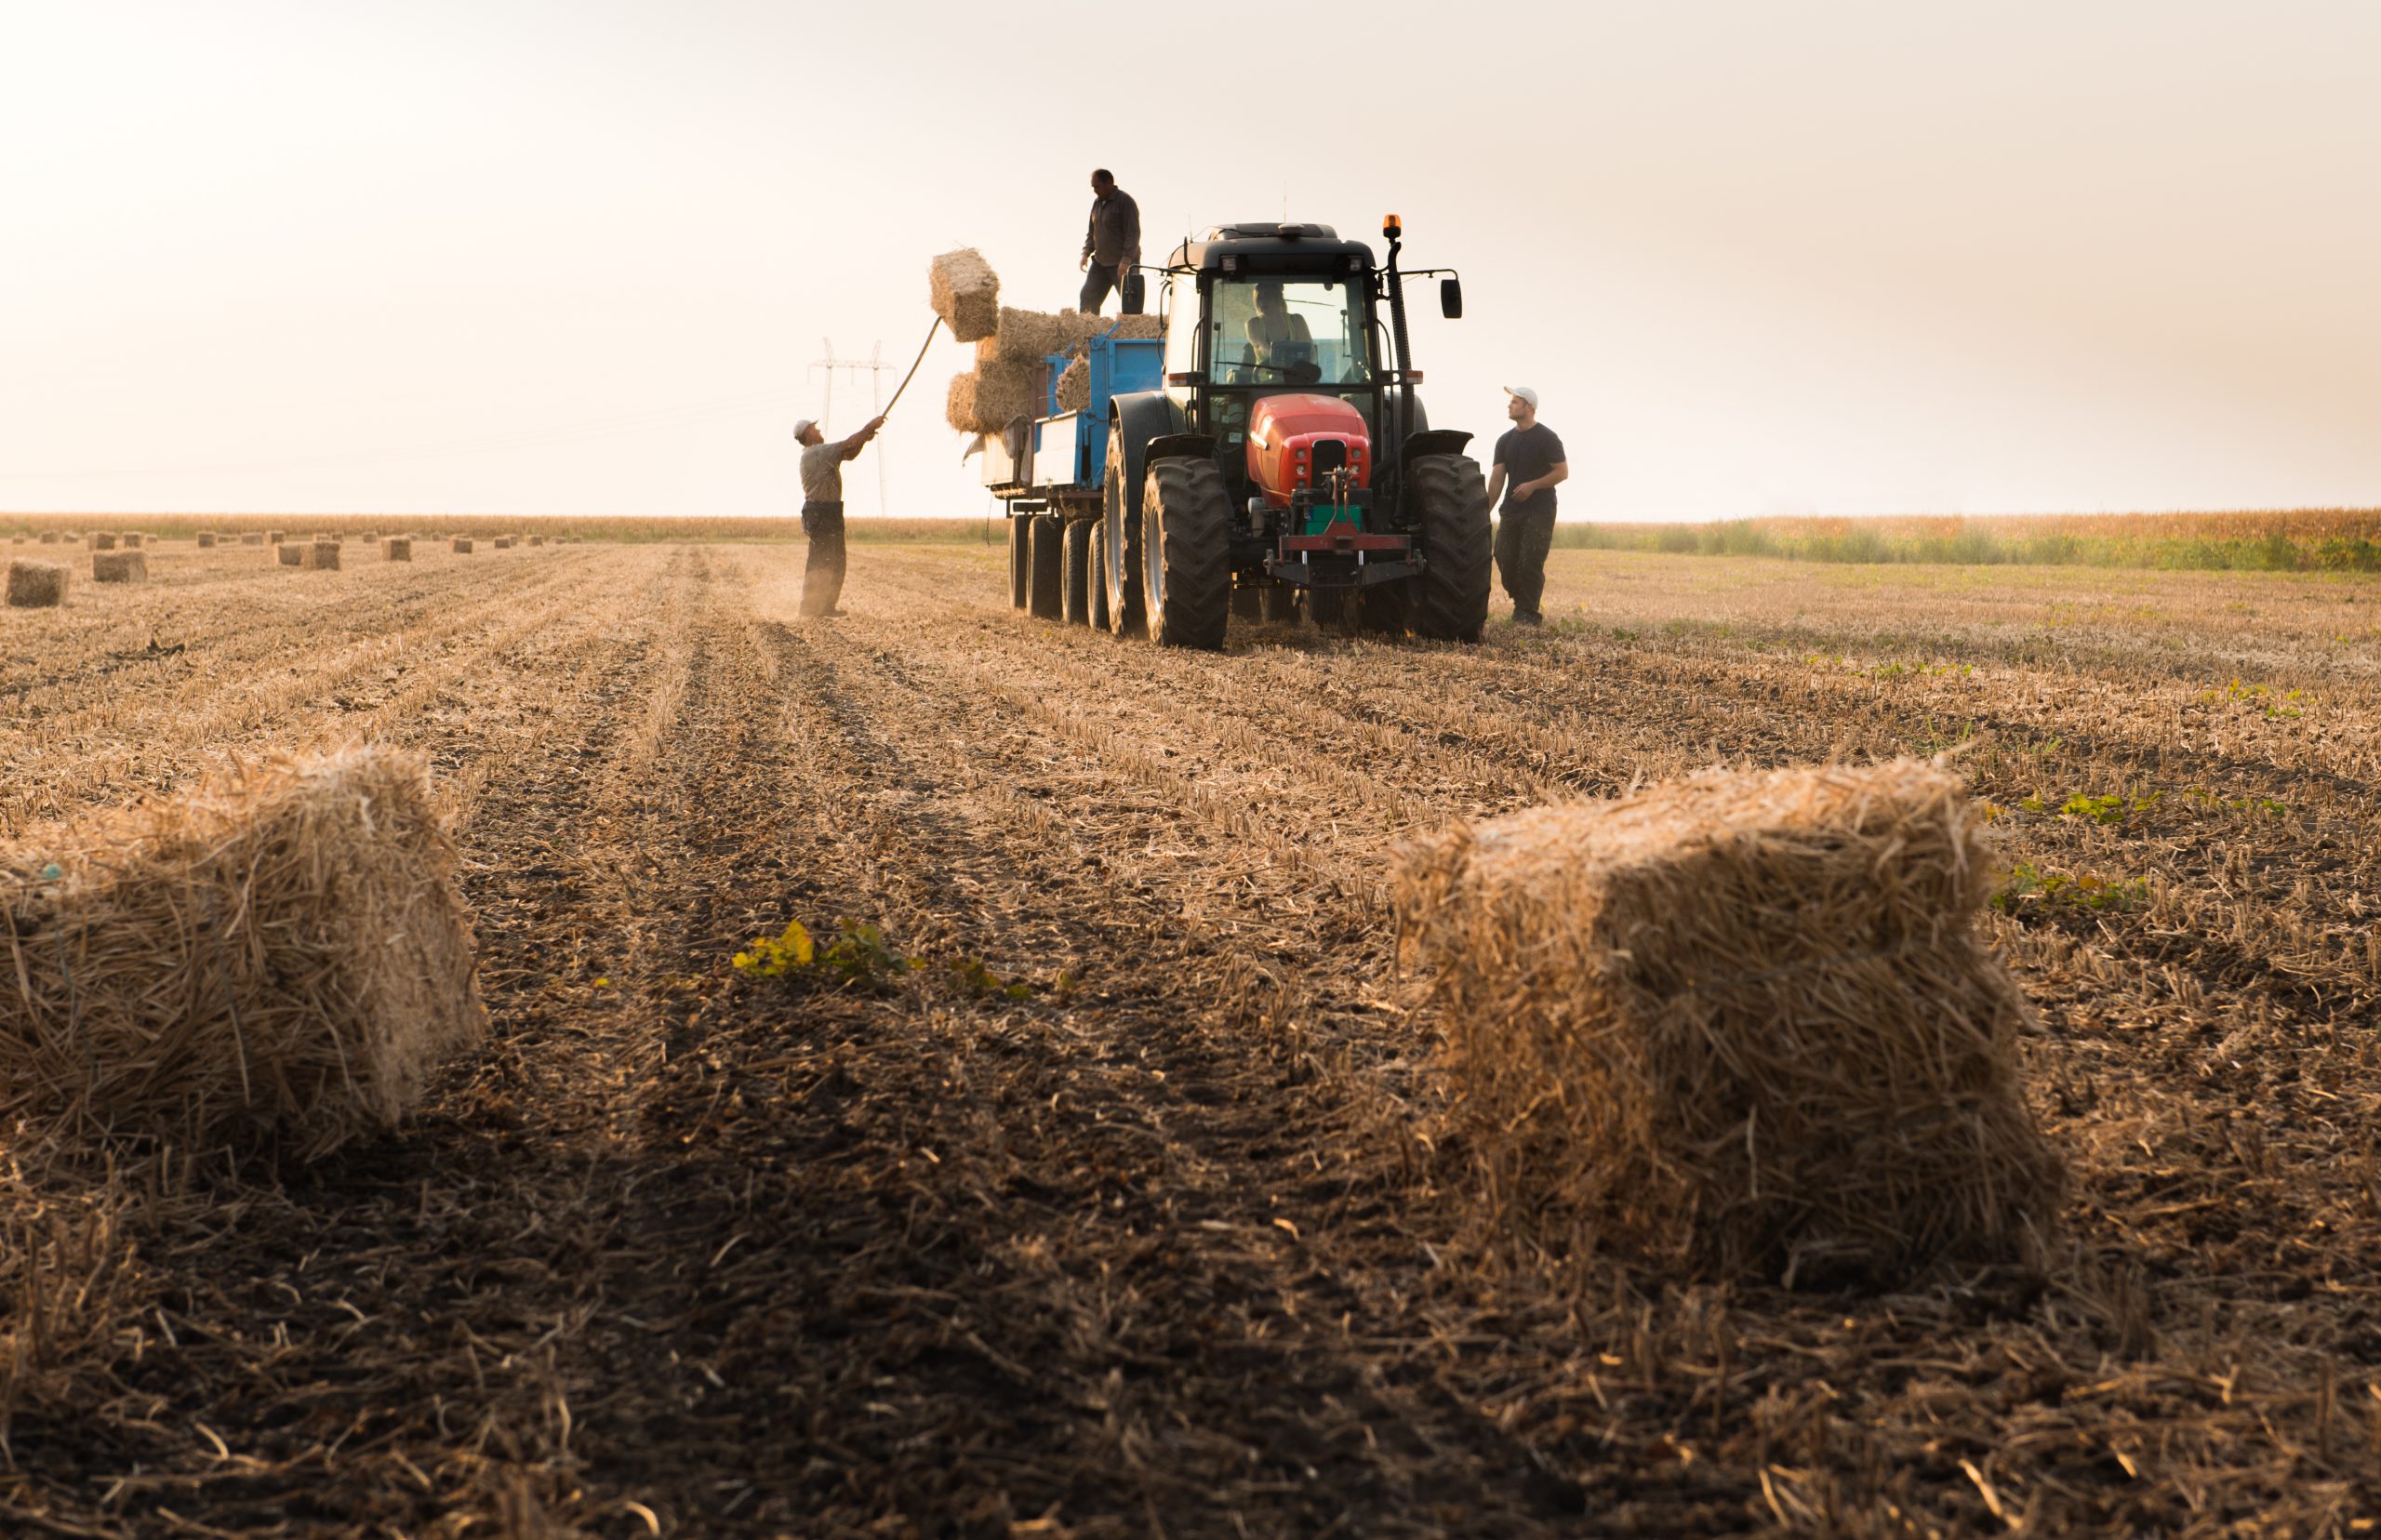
<point x="1739" y="1025"/>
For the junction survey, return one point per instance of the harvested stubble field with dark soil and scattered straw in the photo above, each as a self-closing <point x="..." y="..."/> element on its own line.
<point x="1123" y="1213"/>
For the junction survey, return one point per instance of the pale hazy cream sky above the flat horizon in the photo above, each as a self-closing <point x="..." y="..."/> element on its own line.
<point x="1758" y="256"/>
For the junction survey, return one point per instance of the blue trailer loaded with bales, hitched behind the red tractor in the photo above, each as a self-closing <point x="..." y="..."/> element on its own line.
<point x="1049" y="475"/>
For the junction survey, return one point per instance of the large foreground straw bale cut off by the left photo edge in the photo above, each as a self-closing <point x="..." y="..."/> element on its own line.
<point x="280" y="953"/>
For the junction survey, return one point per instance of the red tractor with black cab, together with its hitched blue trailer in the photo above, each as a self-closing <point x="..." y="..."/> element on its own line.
<point x="1275" y="458"/>
